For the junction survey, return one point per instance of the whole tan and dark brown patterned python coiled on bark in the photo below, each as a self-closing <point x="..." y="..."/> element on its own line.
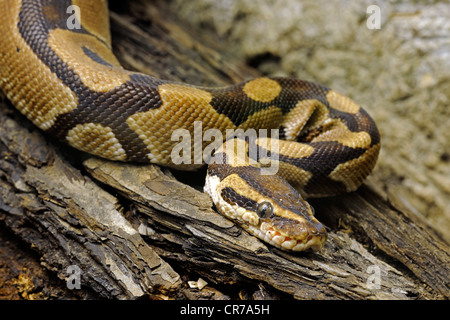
<point x="58" y="69"/>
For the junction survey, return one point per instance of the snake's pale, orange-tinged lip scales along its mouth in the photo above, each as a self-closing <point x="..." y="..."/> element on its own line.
<point x="312" y="241"/>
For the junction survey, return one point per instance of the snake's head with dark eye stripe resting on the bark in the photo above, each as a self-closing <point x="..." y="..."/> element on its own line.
<point x="266" y="206"/>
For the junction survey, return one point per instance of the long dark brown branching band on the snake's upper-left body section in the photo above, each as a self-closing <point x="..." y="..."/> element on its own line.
<point x="109" y="109"/>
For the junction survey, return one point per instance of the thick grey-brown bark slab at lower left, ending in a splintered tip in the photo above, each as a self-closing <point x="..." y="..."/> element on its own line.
<point x="71" y="221"/>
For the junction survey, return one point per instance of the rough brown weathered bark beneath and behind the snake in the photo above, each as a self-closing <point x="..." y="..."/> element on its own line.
<point x="143" y="231"/>
